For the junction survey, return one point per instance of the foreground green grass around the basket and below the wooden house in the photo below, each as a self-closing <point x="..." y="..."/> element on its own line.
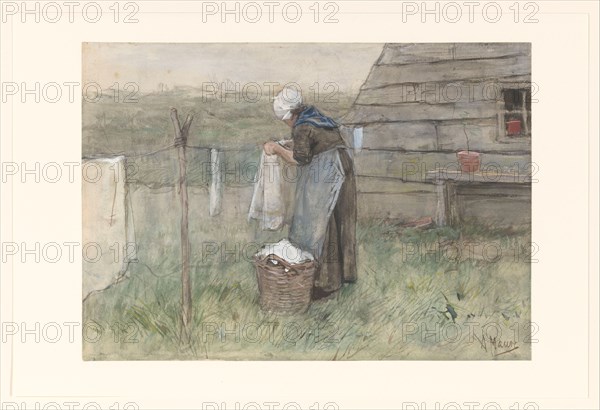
<point x="409" y="303"/>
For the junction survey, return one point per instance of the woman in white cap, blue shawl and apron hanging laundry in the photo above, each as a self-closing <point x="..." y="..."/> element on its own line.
<point x="324" y="220"/>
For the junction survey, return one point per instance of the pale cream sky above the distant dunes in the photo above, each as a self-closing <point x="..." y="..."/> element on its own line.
<point x="192" y="64"/>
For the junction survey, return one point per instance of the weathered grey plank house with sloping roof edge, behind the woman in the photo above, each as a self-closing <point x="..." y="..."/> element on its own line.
<point x="419" y="106"/>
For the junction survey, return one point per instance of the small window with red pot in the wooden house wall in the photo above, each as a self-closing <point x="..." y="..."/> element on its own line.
<point x="516" y="112"/>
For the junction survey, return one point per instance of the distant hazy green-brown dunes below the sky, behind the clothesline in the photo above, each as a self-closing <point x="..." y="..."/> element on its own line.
<point x="144" y="125"/>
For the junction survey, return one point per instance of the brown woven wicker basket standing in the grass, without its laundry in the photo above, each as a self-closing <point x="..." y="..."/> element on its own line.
<point x="284" y="288"/>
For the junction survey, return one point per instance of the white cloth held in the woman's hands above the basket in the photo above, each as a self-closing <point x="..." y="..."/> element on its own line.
<point x="269" y="203"/>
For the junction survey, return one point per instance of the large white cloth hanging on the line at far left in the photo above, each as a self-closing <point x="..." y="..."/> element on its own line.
<point x="108" y="233"/>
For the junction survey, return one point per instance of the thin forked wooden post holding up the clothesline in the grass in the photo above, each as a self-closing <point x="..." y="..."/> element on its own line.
<point x="181" y="135"/>
